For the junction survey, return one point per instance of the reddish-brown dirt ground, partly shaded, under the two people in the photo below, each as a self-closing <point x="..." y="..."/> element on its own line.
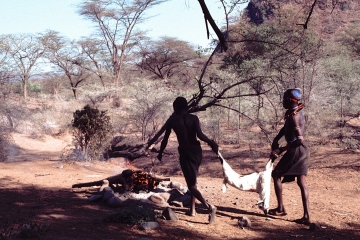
<point x="36" y="191"/>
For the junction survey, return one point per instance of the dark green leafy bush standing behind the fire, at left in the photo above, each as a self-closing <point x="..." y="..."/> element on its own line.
<point x="91" y="130"/>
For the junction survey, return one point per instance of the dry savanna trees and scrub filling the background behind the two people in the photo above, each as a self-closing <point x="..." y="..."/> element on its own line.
<point x="46" y="80"/>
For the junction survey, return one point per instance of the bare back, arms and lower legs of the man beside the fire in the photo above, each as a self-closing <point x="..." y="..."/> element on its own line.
<point x="187" y="136"/>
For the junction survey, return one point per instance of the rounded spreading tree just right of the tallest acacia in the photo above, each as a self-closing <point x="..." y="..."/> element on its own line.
<point x="166" y="58"/>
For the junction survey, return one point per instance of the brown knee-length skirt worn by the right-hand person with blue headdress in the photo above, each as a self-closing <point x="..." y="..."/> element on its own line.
<point x="295" y="162"/>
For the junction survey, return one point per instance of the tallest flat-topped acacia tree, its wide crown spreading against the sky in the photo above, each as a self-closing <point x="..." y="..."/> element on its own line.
<point x="116" y="21"/>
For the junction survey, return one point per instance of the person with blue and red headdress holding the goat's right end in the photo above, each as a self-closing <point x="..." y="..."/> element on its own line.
<point x="295" y="161"/>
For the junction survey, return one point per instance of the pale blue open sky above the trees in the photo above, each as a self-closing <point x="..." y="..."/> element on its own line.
<point x="182" y="19"/>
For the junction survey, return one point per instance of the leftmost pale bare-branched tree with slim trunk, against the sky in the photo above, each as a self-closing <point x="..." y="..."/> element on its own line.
<point x="25" y="50"/>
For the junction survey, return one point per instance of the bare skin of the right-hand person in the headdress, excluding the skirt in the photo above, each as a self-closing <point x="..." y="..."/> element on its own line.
<point x="292" y="130"/>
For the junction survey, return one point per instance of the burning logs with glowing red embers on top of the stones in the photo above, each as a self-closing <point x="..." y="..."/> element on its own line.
<point x="130" y="180"/>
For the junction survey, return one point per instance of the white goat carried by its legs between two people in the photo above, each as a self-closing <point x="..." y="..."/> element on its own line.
<point x="256" y="182"/>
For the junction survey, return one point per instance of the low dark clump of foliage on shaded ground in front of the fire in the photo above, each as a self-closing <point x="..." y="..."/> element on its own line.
<point x="137" y="214"/>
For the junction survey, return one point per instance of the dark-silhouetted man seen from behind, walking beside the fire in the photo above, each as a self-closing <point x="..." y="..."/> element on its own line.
<point x="187" y="129"/>
